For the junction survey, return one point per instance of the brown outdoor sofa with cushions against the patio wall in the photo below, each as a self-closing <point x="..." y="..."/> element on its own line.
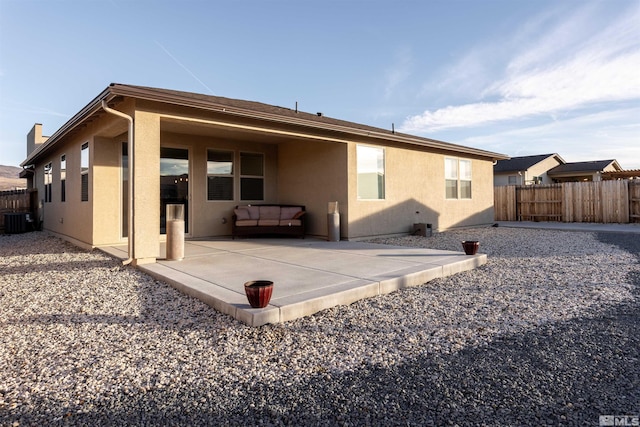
<point x="249" y="220"/>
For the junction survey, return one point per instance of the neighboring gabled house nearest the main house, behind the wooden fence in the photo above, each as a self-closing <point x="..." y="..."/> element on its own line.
<point x="525" y="170"/>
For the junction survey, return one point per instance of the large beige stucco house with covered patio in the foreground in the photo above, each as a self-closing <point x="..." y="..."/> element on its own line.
<point x="106" y="176"/>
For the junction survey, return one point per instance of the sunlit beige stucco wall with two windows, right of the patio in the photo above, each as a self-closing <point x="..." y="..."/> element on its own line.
<point x="415" y="193"/>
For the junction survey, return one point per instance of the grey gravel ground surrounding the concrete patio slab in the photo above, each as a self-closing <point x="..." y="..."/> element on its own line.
<point x="546" y="333"/>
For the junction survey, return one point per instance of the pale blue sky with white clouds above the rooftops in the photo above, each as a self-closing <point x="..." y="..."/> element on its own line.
<point x="514" y="77"/>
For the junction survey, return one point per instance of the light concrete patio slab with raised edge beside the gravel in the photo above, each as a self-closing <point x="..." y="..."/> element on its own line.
<point x="309" y="275"/>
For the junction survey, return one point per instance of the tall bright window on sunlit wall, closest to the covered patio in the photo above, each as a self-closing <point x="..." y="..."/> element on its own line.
<point x="370" y="167"/>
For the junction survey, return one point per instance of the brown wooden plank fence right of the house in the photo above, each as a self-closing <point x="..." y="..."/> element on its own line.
<point x="599" y="201"/>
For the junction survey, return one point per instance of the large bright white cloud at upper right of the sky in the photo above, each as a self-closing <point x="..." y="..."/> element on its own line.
<point x="572" y="66"/>
